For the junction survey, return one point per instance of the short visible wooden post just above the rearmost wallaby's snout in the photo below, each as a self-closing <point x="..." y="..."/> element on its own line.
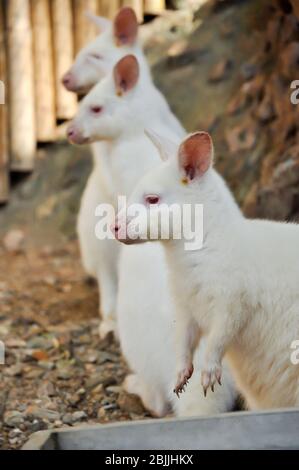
<point x="85" y="31"/>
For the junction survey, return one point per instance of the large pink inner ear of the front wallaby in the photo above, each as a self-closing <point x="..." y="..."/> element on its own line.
<point x="196" y="155"/>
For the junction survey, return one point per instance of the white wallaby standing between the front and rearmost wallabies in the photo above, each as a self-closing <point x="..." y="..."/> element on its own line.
<point x="117" y="110"/>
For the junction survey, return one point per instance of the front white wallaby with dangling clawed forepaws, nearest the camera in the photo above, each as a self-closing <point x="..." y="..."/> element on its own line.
<point x="239" y="292"/>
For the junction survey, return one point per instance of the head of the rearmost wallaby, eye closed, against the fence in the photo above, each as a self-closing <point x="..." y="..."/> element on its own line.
<point x="116" y="39"/>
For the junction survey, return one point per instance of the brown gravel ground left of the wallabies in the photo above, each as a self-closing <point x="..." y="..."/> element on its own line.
<point x="57" y="372"/>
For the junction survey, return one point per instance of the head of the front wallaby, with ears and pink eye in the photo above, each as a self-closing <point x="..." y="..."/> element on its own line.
<point x="184" y="177"/>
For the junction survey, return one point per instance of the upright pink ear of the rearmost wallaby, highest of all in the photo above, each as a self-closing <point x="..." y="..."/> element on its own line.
<point x="126" y="27"/>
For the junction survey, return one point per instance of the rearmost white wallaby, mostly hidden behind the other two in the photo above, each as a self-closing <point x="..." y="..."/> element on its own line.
<point x="93" y="63"/>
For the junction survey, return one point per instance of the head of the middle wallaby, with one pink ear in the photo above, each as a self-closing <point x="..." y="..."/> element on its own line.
<point x="109" y="109"/>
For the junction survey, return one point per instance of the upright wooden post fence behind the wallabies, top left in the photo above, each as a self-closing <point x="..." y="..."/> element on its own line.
<point x="38" y="42"/>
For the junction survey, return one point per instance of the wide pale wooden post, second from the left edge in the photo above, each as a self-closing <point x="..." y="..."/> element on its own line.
<point x="21" y="86"/>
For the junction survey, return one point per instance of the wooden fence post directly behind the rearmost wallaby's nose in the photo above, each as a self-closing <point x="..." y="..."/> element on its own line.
<point x="66" y="103"/>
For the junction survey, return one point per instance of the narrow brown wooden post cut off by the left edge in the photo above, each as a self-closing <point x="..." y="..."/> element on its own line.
<point x="4" y="170"/>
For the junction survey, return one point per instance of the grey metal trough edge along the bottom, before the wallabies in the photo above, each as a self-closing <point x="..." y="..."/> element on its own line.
<point x="239" y="431"/>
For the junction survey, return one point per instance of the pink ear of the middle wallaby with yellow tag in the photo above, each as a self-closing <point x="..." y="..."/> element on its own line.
<point x="126" y="74"/>
